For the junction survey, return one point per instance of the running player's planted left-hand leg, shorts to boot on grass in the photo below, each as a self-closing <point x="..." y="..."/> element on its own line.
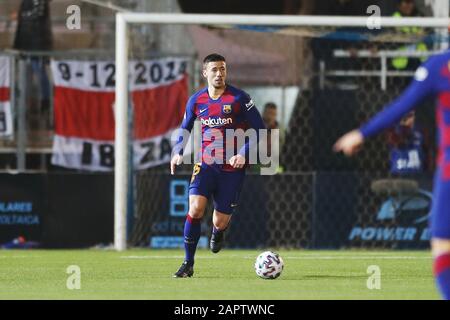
<point x="199" y="191"/>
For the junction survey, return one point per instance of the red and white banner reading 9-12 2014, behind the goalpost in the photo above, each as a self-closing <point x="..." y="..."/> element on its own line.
<point x="84" y="111"/>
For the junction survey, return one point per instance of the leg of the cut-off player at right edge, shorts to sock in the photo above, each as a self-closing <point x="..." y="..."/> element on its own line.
<point x="440" y="232"/>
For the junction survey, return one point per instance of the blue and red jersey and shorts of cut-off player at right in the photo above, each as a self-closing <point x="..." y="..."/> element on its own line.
<point x="431" y="79"/>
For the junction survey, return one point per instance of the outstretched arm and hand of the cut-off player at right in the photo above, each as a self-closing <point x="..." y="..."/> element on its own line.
<point x="420" y="87"/>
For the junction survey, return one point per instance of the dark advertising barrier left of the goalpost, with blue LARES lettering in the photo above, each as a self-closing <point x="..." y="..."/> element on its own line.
<point x="57" y="210"/>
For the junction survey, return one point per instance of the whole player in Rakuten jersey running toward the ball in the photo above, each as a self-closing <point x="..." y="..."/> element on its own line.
<point x="219" y="107"/>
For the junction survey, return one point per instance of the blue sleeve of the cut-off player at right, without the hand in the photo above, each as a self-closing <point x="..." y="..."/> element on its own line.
<point x="421" y="86"/>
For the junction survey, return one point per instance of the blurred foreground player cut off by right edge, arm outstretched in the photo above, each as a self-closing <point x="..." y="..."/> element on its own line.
<point x="432" y="78"/>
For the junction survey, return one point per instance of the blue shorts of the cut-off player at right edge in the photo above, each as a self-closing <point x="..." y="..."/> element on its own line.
<point x="440" y="212"/>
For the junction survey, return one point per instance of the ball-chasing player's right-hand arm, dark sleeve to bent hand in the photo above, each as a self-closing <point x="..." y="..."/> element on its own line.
<point x="252" y="116"/>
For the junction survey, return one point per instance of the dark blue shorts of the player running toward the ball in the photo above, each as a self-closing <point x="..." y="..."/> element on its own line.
<point x="224" y="186"/>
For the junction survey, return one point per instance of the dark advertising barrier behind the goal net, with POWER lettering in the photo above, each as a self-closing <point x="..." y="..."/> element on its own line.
<point x="320" y="210"/>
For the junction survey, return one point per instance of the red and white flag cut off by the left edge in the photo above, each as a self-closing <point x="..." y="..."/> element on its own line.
<point x="6" y="123"/>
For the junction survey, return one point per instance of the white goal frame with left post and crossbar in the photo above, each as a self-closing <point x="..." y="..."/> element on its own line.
<point x="121" y="110"/>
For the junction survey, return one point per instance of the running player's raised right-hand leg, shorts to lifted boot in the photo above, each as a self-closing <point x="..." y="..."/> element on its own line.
<point x="226" y="198"/>
